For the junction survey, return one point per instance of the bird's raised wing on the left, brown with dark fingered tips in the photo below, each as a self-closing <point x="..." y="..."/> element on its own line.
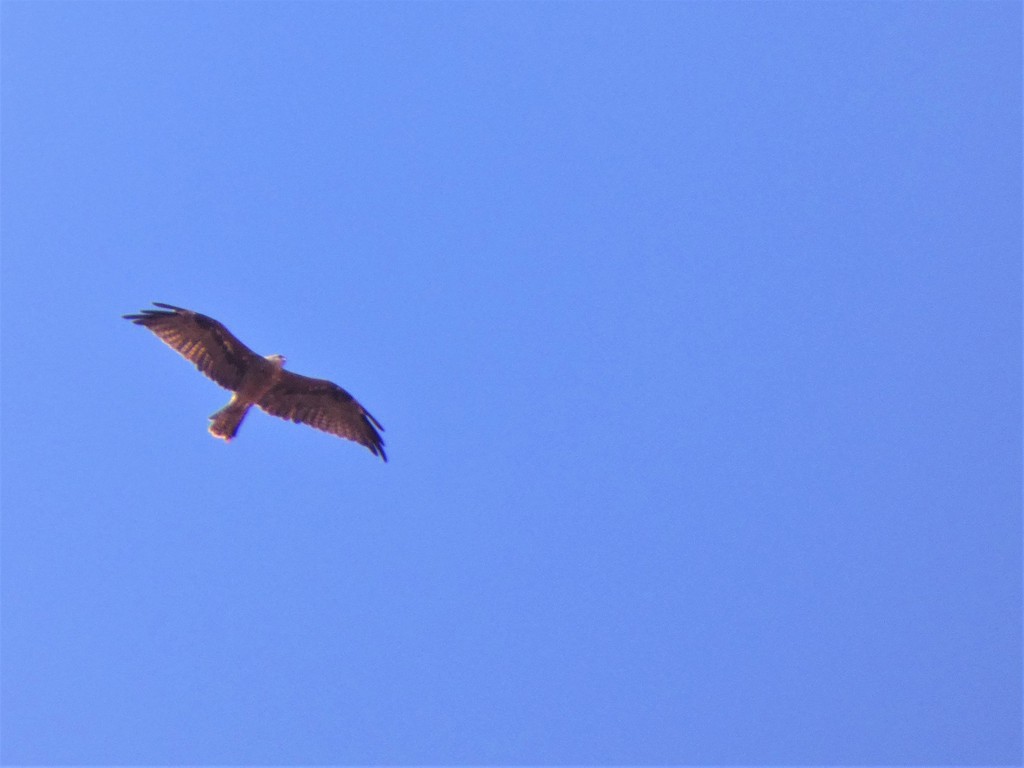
<point x="207" y="344"/>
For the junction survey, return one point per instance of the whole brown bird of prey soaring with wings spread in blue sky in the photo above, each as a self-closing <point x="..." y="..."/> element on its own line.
<point x="259" y="381"/>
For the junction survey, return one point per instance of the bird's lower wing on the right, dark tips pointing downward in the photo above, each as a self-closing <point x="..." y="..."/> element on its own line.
<point x="325" y="406"/>
